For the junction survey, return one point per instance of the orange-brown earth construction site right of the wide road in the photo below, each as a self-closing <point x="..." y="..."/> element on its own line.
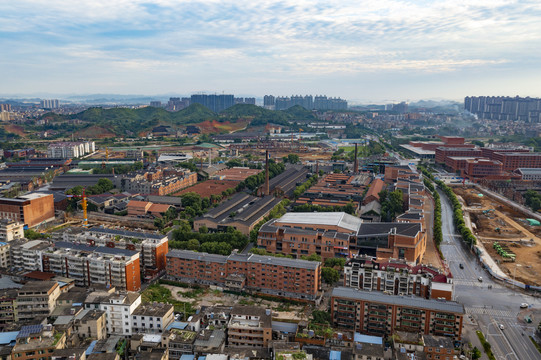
<point x="509" y="236"/>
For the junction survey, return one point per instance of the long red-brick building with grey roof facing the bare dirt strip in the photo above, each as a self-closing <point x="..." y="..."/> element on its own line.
<point x="289" y="278"/>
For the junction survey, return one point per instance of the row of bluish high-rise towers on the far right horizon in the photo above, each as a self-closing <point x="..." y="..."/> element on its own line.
<point x="505" y="108"/>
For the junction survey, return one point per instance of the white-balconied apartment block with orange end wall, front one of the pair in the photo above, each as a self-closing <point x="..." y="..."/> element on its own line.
<point x="94" y="265"/>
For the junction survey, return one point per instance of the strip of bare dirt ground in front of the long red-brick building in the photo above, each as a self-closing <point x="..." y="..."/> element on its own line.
<point x="211" y="297"/>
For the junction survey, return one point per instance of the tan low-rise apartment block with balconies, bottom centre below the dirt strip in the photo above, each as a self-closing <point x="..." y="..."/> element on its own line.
<point x="249" y="326"/>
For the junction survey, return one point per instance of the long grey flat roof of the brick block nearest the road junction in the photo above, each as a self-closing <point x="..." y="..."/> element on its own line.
<point x="408" y="301"/>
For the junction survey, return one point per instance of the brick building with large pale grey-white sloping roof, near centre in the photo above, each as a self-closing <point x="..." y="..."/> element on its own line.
<point x="327" y="234"/>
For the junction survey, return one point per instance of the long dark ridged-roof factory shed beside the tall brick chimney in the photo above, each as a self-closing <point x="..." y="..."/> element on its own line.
<point x="241" y="212"/>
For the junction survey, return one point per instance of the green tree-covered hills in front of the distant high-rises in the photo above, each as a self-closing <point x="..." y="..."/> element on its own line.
<point x="124" y="121"/>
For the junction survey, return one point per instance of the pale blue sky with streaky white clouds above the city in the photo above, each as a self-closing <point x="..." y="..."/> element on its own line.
<point x="363" y="51"/>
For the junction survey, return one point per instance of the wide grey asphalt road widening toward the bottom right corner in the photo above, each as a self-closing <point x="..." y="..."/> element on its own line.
<point x="488" y="307"/>
